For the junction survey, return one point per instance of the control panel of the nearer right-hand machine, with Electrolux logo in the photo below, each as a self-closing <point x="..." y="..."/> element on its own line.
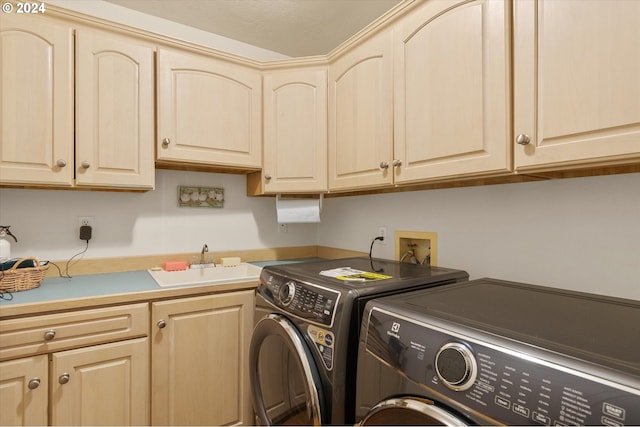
<point x="508" y="386"/>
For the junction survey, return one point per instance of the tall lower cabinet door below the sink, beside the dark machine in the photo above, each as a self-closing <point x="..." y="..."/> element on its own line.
<point x="199" y="360"/>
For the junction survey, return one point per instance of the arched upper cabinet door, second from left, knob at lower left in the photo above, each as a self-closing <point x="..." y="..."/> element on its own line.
<point x="115" y="114"/>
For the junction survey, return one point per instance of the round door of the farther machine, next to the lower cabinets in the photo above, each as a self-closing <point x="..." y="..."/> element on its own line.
<point x="285" y="383"/>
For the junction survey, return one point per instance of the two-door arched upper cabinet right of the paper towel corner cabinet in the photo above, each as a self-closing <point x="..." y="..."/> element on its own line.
<point x="428" y="99"/>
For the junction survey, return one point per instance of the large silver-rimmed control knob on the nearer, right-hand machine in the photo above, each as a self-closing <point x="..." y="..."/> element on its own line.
<point x="456" y="366"/>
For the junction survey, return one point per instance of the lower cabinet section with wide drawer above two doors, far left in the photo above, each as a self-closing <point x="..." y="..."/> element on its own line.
<point x="87" y="367"/>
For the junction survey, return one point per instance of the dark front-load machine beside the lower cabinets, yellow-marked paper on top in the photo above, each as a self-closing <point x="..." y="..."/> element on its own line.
<point x="303" y="351"/>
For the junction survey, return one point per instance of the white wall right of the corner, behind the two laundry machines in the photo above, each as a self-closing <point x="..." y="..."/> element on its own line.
<point x="581" y="234"/>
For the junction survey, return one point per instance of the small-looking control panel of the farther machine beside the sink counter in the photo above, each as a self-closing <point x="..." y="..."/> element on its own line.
<point x="307" y="301"/>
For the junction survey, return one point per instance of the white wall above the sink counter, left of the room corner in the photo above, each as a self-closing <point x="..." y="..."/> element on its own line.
<point x="46" y="221"/>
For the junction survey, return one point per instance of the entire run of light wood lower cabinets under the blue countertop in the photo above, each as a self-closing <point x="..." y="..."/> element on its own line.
<point x="105" y="367"/>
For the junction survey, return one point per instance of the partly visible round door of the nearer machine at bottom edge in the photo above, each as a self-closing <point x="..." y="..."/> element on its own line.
<point x="410" y="411"/>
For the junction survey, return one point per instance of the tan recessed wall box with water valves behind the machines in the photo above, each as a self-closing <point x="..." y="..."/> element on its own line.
<point x="417" y="247"/>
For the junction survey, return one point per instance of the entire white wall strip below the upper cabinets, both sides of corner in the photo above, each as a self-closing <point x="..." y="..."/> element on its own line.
<point x="581" y="233"/>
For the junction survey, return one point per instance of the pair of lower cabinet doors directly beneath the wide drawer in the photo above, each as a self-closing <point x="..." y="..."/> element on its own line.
<point x="98" y="385"/>
